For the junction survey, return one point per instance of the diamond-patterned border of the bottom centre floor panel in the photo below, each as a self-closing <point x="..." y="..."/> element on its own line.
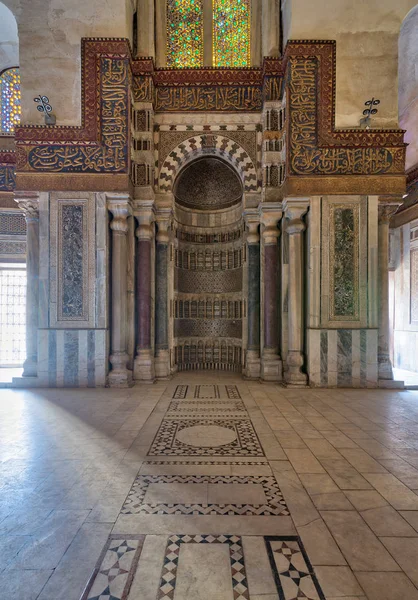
<point x="171" y="561"/>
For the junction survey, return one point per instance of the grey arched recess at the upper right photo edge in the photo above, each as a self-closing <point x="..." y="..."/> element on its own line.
<point x="408" y="84"/>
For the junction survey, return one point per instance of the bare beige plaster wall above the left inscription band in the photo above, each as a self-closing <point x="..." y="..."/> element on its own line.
<point x="50" y="33"/>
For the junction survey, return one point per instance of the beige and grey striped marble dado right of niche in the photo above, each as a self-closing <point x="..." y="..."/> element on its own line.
<point x="342" y="357"/>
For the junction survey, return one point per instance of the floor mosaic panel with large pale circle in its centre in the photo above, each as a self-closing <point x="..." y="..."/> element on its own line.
<point x="212" y="437"/>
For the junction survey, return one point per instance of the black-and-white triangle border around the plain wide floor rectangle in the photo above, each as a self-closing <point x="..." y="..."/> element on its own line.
<point x="134" y="503"/>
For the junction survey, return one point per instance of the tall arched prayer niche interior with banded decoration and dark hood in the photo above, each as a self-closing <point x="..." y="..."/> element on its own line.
<point x="208" y="281"/>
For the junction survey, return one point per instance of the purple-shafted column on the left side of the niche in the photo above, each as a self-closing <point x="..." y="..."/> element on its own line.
<point x="144" y="367"/>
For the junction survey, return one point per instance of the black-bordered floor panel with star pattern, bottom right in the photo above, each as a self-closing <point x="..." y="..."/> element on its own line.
<point x="293" y="573"/>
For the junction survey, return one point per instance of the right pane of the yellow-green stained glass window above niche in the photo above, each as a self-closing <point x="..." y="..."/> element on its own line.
<point x="231" y="33"/>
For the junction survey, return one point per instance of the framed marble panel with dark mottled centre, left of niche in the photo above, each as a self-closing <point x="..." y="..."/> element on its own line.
<point x="72" y="261"/>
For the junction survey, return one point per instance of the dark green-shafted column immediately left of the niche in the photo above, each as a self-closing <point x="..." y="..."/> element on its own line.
<point x="162" y="355"/>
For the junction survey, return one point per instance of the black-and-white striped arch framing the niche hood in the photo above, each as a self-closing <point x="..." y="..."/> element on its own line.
<point x="211" y="145"/>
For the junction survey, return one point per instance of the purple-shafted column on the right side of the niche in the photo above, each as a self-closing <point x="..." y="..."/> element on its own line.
<point x="271" y="364"/>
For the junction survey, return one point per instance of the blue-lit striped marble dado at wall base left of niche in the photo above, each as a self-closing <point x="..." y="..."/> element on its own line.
<point x="72" y="358"/>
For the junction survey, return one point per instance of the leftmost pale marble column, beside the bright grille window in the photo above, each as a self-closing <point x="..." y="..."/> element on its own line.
<point x="29" y="203"/>
